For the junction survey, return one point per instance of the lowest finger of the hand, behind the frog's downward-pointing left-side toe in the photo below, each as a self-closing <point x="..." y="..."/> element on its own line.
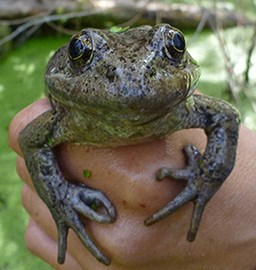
<point x="47" y="250"/>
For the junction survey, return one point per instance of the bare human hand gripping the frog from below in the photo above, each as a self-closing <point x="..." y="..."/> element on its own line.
<point x="227" y="235"/>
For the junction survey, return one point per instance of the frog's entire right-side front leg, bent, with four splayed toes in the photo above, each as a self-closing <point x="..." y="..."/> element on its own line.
<point x="204" y="173"/>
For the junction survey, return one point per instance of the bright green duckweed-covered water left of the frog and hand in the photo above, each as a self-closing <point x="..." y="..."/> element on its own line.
<point x="21" y="83"/>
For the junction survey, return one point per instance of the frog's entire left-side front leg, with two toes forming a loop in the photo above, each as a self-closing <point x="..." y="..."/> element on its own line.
<point x="64" y="199"/>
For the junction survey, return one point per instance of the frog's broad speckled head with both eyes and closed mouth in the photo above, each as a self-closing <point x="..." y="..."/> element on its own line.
<point x="141" y="71"/>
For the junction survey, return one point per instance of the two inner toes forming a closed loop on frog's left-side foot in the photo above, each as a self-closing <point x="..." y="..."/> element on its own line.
<point x="84" y="198"/>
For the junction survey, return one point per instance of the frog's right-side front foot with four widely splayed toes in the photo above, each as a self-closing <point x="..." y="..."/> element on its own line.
<point x="199" y="189"/>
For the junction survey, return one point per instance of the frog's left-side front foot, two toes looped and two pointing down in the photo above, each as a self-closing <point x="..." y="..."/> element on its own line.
<point x="75" y="200"/>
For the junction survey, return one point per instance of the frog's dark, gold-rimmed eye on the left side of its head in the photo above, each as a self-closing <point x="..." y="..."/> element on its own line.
<point x="81" y="47"/>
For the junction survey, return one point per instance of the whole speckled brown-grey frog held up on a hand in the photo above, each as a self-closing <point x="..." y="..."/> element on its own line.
<point x="111" y="89"/>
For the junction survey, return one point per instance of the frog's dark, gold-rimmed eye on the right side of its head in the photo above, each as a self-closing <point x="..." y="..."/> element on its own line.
<point x="175" y="44"/>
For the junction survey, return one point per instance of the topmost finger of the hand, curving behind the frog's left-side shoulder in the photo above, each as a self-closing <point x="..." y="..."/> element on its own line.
<point x="23" y="118"/>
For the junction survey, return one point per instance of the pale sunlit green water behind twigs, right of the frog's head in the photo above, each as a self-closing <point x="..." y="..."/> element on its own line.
<point x="207" y="50"/>
